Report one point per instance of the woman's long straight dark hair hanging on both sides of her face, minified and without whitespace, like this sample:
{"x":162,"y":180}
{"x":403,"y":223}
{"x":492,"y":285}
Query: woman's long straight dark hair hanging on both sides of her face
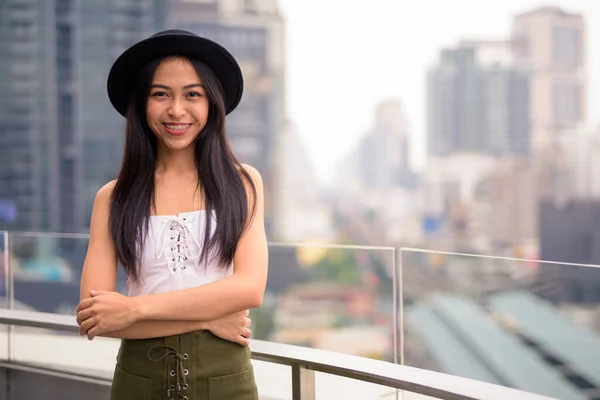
{"x":220,"y":178}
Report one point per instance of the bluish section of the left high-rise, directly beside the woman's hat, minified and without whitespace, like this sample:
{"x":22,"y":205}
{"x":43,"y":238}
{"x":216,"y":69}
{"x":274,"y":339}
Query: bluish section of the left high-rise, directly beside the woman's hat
{"x":105,"y":30}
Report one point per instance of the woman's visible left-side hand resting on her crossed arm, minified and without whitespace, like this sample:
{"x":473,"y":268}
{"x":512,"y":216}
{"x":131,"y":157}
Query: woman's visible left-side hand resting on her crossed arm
{"x":105,"y":312}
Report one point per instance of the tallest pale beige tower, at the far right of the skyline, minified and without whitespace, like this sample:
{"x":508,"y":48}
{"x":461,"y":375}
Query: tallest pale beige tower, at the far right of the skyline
{"x":551,"y":43}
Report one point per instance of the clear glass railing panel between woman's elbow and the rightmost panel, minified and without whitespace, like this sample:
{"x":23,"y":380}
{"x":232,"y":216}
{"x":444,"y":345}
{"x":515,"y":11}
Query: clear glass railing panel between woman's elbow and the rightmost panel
{"x":331,"y":298}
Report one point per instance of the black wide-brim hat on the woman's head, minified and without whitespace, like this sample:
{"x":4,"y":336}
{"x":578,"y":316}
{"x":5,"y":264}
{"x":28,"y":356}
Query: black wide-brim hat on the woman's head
{"x":174,"y":42}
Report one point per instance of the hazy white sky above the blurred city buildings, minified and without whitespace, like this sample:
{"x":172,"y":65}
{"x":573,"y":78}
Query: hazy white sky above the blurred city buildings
{"x":345,"y":56}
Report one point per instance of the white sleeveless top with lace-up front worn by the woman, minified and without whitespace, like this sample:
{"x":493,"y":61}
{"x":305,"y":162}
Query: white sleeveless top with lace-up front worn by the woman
{"x":170,"y":259}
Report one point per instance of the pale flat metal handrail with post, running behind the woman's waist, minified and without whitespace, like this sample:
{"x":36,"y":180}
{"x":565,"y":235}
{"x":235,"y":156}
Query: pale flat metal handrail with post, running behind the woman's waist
{"x":305,"y":362}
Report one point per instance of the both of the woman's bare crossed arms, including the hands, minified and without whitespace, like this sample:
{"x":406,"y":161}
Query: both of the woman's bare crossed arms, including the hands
{"x":220,"y":306}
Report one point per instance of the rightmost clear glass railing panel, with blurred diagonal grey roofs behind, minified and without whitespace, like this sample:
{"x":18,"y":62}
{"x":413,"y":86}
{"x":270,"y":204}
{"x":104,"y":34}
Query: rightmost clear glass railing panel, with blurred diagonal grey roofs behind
{"x":530,"y":325}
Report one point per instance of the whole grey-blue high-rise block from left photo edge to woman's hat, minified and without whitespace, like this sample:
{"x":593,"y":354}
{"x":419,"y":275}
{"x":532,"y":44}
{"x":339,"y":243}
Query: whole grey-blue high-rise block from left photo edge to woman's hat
{"x":60,"y":139}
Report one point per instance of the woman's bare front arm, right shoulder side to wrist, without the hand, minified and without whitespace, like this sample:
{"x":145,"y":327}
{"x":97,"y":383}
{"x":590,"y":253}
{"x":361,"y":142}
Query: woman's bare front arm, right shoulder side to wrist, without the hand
{"x":240,"y":291}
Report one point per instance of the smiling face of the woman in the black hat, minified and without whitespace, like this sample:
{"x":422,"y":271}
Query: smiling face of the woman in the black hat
{"x":177,"y":107}
